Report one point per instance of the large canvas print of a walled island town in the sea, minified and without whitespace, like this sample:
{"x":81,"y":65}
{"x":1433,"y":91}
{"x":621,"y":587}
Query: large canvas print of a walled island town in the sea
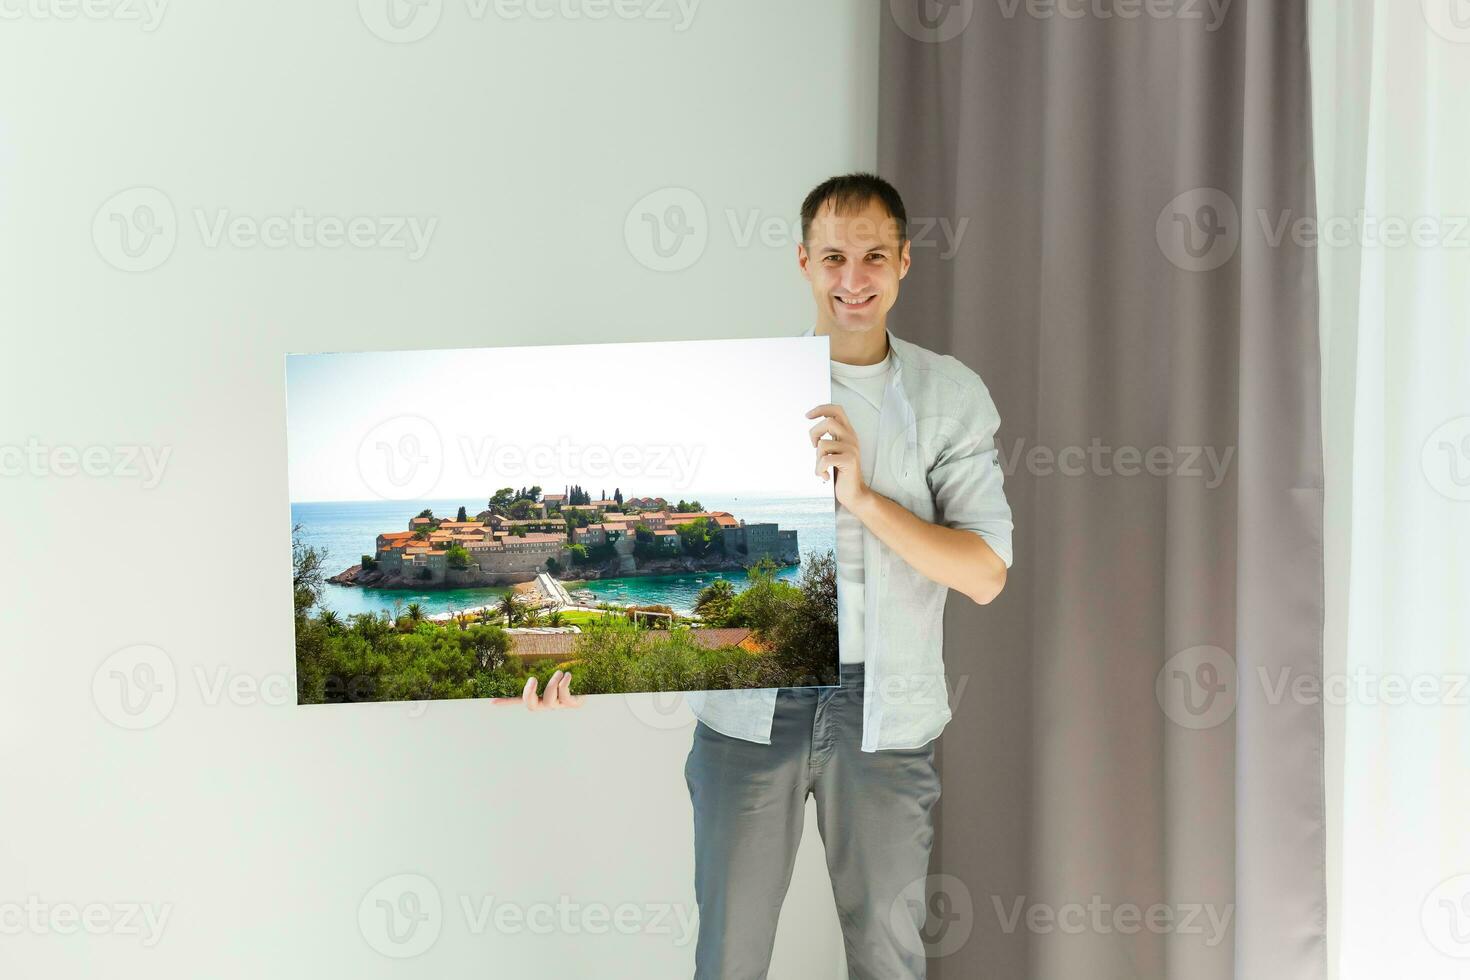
{"x":645,"y":516}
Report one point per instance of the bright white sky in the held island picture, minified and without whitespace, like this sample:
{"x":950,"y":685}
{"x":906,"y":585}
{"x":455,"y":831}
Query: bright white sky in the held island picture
{"x":664,"y":419}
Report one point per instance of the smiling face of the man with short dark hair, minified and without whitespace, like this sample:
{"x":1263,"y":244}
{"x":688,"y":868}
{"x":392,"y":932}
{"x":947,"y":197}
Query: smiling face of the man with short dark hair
{"x":855,"y":262}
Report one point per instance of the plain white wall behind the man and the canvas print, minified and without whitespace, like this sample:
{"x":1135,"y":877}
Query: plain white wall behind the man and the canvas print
{"x":264,"y":826}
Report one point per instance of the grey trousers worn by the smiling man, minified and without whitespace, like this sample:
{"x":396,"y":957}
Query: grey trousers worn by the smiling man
{"x":875,"y":813}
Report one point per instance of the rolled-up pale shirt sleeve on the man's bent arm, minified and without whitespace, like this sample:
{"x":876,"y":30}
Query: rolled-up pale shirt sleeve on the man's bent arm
{"x":967,"y":477}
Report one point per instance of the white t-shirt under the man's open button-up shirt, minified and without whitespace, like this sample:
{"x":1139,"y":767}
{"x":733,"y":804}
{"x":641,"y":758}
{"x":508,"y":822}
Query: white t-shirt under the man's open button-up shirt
{"x":859,"y":389}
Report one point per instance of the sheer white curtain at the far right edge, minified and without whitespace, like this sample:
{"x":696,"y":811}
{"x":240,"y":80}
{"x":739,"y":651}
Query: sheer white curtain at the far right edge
{"x":1393,"y":142}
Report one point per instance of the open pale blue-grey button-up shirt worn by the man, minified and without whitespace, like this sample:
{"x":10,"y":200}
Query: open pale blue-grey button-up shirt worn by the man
{"x":937,"y":458}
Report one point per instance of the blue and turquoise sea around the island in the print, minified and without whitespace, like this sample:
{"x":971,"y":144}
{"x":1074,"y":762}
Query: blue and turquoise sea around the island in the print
{"x":348,"y":531}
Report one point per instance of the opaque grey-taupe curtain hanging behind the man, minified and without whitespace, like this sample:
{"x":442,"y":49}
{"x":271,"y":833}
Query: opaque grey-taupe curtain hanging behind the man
{"x":1122,"y":738}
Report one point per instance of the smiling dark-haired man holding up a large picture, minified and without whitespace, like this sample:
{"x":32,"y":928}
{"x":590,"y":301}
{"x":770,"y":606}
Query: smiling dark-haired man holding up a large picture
{"x":911,"y":443}
